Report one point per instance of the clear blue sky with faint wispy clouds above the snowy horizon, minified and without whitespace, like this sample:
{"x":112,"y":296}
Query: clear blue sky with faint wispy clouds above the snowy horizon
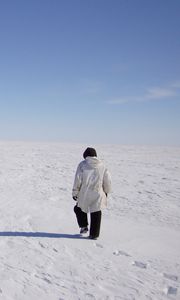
{"x":92,"y":71}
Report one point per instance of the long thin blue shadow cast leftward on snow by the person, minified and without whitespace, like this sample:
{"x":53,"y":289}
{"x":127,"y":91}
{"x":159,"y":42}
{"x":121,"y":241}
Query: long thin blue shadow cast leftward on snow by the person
{"x":41,"y":234}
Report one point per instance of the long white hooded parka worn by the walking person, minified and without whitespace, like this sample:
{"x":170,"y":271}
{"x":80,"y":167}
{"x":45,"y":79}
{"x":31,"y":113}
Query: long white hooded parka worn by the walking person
{"x":92,"y":183}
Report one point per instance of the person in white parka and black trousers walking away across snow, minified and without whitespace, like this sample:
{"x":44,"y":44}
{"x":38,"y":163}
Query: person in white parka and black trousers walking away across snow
{"x":92,"y":185}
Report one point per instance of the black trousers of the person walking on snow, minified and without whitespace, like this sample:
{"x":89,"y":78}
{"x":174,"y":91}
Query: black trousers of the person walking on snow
{"x":83,"y":220}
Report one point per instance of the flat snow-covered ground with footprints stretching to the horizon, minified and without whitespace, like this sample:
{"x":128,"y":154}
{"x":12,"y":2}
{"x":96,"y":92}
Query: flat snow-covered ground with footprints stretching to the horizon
{"x":42,"y":255}
